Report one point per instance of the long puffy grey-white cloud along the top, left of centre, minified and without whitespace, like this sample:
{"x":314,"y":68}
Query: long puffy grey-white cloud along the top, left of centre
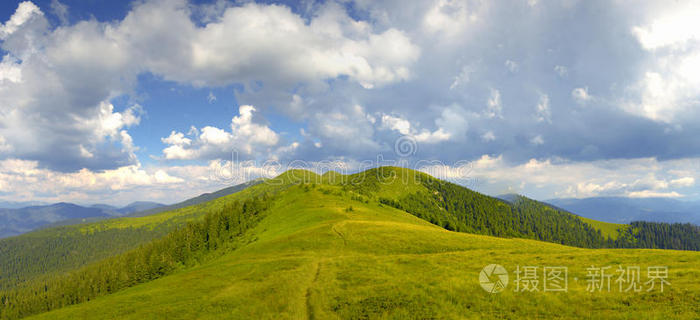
{"x":280,"y":47}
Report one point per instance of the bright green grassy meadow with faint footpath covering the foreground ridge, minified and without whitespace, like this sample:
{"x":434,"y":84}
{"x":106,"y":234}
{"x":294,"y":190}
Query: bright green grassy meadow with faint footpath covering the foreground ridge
{"x":315,"y":259}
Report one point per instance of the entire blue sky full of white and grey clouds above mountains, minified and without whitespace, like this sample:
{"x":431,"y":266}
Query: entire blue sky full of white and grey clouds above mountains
{"x":111,"y":101}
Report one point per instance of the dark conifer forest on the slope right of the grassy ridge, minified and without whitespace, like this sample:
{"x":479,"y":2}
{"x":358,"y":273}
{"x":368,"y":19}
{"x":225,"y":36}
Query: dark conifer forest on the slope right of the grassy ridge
{"x":456,"y":208}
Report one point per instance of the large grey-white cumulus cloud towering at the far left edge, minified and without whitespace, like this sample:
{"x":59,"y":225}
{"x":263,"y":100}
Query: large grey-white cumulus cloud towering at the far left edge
{"x":54,"y":97}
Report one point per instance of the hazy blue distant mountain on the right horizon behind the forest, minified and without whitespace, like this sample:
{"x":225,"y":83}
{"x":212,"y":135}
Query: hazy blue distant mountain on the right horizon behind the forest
{"x":626,"y":210}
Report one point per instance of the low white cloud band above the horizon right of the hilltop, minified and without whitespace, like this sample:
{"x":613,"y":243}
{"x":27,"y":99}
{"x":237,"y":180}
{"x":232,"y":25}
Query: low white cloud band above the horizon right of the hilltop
{"x":558,"y":178}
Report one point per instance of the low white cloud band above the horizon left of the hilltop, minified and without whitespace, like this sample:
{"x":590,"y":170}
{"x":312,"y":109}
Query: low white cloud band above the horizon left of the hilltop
{"x":24,"y":180}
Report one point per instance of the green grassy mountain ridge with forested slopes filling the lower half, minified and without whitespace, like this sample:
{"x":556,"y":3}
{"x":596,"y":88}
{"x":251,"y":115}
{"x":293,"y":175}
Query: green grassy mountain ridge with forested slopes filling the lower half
{"x":375,"y":245}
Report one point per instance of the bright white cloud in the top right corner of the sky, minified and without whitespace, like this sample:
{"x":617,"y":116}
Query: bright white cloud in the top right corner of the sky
{"x":670,"y":84}
